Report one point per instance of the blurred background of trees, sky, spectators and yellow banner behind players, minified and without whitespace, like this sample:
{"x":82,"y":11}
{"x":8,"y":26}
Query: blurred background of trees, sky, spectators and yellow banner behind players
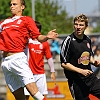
{"x":57,"y":14}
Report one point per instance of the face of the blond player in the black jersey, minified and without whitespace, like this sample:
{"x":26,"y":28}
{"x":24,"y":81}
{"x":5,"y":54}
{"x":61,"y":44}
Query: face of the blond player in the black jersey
{"x":79,"y":27}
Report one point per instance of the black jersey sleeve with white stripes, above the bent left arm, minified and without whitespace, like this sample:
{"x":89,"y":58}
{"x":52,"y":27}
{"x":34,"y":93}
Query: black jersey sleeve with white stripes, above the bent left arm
{"x":65,"y":50}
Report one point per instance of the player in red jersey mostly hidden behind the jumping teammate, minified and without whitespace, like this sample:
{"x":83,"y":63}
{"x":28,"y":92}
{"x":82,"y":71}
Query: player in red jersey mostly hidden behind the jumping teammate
{"x":36,"y":53}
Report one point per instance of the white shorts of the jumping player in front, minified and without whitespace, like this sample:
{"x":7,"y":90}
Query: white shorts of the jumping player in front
{"x":16,"y":70}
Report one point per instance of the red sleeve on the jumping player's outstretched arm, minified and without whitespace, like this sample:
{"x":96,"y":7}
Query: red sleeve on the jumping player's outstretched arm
{"x":33,"y":30}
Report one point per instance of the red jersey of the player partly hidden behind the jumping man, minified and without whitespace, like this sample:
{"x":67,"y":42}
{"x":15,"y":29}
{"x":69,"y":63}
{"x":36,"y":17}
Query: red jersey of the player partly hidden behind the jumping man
{"x":36,"y":52}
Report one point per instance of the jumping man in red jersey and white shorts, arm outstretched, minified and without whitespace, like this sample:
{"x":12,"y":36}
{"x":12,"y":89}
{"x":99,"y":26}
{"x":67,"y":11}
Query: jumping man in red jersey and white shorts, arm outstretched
{"x":14,"y":33}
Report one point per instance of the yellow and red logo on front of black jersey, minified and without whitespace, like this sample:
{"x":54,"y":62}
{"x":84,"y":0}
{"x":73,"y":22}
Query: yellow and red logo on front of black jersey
{"x":84,"y":59}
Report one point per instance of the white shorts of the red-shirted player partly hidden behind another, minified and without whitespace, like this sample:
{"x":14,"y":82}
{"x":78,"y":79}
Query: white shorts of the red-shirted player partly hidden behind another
{"x":40,"y":80}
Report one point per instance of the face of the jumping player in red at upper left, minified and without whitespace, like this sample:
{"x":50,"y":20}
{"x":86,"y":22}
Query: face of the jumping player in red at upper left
{"x":16,"y":7}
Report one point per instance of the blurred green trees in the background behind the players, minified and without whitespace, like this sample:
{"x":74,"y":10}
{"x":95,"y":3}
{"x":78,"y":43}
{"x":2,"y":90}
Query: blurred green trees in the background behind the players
{"x":48,"y":12}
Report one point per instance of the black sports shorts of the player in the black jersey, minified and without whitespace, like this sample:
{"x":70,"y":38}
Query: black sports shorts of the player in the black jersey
{"x":83,"y":88}
